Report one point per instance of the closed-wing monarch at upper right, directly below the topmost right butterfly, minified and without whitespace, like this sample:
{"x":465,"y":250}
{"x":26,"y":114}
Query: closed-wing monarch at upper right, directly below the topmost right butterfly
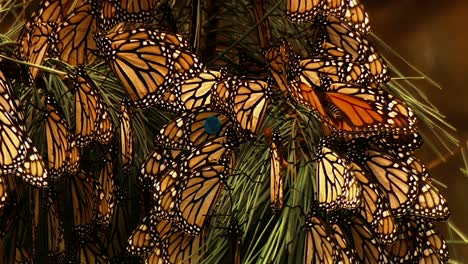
{"x":341,"y":42}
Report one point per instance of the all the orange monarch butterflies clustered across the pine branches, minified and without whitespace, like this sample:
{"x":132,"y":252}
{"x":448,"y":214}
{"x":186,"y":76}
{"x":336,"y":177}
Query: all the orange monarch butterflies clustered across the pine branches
{"x":374,"y":200}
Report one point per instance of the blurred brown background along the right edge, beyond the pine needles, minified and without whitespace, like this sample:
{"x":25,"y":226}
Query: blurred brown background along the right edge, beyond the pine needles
{"x":433,"y":36}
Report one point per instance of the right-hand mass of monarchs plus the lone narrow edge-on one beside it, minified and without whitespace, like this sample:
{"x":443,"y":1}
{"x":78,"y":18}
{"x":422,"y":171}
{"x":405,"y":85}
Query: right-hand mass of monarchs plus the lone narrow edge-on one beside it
{"x":374,"y":201}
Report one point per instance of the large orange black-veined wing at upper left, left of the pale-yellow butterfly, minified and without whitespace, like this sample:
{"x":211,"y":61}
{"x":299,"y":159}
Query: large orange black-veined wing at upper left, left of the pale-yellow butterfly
{"x":143,"y":67}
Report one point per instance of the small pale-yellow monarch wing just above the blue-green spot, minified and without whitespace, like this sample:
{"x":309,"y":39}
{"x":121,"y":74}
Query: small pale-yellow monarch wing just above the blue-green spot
{"x":192,"y":93}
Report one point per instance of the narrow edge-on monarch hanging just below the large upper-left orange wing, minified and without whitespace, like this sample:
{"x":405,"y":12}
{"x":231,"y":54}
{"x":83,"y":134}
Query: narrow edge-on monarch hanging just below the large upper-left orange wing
{"x":126,"y":135}
